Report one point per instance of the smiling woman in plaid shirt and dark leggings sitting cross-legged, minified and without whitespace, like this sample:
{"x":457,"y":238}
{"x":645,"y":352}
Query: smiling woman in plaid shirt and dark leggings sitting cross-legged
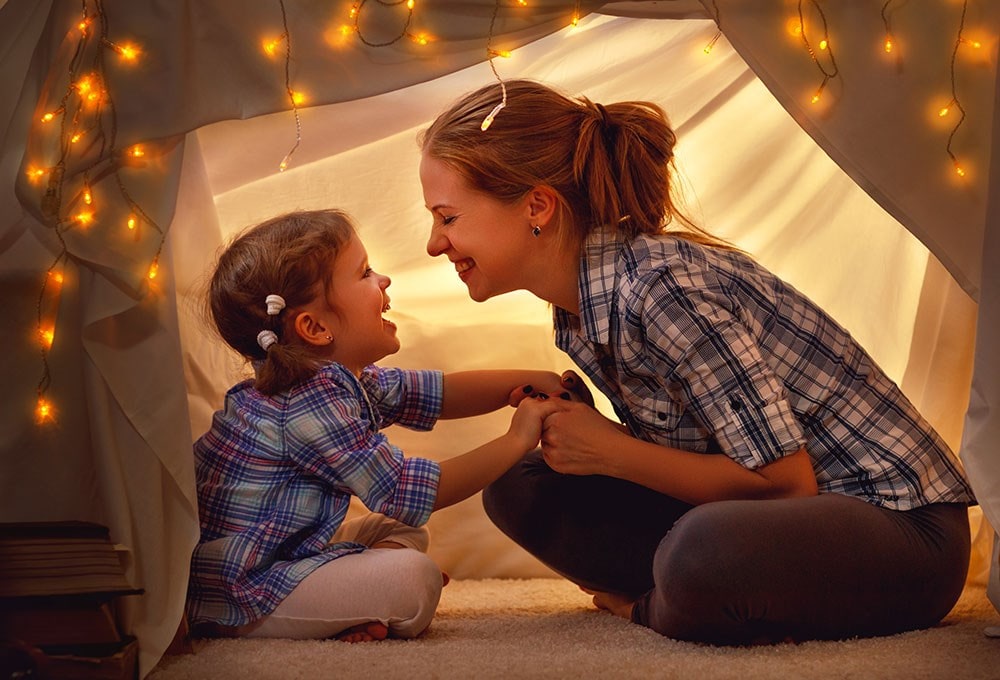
{"x":767,"y":480}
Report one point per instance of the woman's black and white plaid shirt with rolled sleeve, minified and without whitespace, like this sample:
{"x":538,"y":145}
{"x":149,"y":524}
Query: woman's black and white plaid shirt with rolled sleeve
{"x":702,"y":349}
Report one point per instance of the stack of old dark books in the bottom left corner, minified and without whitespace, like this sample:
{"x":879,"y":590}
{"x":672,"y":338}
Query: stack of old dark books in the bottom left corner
{"x":59,"y":585}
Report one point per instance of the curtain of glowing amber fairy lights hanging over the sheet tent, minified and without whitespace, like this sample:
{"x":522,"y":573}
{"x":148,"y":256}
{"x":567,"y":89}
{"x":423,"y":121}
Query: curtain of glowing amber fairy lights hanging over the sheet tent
{"x":82,"y":124}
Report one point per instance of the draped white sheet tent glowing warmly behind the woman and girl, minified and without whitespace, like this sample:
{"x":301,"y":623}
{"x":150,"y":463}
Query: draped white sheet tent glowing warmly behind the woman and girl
{"x":855,"y":200}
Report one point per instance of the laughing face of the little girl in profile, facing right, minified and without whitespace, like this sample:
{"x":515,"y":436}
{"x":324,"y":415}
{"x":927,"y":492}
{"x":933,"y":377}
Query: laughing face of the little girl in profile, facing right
{"x":352,"y":312}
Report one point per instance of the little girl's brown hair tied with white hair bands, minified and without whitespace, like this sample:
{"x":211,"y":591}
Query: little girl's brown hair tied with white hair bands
{"x":290,"y":256}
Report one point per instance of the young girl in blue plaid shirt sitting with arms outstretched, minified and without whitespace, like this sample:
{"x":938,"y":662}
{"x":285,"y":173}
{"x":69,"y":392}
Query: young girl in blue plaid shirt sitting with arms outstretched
{"x":276,"y":471}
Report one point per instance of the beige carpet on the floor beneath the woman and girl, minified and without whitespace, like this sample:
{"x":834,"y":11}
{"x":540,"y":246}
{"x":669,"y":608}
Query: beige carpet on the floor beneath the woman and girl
{"x":547,"y":628}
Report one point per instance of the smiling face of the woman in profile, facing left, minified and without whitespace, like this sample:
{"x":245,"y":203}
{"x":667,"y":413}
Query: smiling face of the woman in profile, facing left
{"x":487,"y":241}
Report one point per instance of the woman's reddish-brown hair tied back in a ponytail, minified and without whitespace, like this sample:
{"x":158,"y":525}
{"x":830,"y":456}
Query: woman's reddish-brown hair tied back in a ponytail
{"x":611,"y":166}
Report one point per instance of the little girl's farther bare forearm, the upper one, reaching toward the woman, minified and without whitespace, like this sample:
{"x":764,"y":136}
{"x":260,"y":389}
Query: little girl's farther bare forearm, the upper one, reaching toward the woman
{"x":472,"y":393}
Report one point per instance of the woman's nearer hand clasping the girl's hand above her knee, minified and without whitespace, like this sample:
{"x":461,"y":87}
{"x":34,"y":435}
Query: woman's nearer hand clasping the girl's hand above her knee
{"x":578,"y":440}
